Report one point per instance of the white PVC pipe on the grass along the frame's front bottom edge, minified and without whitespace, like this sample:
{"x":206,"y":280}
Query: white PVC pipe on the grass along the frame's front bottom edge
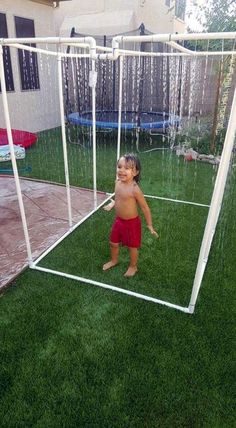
{"x":113,"y":288}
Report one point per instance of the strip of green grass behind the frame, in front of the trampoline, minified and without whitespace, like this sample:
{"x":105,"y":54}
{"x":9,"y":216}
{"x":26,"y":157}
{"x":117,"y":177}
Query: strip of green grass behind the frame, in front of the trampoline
{"x":164,"y":174}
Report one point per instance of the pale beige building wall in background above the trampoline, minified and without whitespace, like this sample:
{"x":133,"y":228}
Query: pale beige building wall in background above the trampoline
{"x":156,"y":16}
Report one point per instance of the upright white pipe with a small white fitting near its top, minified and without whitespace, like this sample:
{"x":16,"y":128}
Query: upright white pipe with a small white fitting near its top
{"x":93,"y":82}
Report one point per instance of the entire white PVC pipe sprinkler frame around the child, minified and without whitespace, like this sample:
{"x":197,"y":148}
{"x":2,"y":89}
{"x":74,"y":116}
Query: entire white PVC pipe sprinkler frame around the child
{"x":217,"y":197}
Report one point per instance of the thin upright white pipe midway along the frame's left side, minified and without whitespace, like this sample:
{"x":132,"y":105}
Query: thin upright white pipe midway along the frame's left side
{"x":63,"y":133}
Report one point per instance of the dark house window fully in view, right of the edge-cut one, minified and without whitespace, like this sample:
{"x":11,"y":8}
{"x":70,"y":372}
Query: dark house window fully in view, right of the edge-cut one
{"x":28,"y":60}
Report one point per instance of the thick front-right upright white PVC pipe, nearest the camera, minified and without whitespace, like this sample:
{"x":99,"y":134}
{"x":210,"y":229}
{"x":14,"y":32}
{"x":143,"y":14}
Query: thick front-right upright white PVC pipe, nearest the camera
{"x":215,"y":207}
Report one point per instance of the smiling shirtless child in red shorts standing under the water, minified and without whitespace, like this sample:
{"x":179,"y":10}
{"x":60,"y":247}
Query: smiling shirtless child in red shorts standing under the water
{"x":126,"y":229}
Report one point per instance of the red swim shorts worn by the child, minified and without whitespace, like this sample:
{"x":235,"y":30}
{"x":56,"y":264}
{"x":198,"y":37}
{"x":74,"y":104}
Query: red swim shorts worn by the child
{"x":126,"y":232}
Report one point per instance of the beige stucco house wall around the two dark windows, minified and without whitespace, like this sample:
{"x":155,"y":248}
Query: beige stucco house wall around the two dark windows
{"x":32,"y":110}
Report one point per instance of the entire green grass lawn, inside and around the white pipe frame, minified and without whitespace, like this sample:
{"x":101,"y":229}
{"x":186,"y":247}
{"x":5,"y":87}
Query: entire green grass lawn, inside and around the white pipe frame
{"x":74,"y":355}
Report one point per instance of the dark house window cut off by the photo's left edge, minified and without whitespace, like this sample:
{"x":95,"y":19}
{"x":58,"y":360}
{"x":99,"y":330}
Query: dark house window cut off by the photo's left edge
{"x":6,"y":55}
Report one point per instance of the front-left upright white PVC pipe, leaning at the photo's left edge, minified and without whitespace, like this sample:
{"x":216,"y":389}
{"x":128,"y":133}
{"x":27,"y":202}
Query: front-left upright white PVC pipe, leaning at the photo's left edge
{"x":13,"y":159}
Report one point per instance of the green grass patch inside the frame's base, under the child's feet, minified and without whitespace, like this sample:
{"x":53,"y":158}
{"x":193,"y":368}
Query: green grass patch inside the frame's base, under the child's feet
{"x":166,"y":268}
